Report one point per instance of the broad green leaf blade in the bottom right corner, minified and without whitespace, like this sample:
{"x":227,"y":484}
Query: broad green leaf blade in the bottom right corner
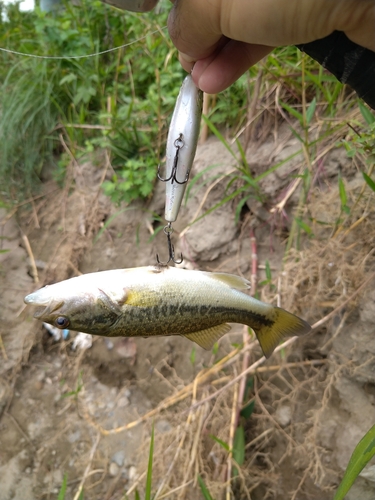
{"x":362,"y":454}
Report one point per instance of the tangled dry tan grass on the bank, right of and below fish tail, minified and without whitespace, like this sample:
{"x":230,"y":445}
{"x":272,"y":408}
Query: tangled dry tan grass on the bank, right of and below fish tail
{"x":283,"y":448}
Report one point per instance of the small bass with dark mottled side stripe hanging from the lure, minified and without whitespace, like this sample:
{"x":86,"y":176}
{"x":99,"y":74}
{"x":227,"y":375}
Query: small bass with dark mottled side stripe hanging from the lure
{"x":162,"y":300}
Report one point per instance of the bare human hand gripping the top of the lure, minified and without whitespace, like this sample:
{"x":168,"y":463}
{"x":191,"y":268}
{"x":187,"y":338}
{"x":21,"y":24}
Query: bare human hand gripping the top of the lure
{"x":223,"y":38}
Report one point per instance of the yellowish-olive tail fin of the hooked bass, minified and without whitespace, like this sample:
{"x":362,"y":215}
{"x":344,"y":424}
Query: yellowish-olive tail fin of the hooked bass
{"x":284,"y":324}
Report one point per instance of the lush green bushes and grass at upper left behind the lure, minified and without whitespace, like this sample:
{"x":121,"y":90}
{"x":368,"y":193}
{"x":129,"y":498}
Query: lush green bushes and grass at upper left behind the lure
{"x":127,"y":95}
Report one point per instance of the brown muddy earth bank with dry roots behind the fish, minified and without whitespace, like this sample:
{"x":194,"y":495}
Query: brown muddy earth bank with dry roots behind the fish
{"x":61,"y":410}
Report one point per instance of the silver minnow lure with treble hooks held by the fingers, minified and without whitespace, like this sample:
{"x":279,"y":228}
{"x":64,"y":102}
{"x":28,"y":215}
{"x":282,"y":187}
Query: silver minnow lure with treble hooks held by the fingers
{"x":182,"y":140}
